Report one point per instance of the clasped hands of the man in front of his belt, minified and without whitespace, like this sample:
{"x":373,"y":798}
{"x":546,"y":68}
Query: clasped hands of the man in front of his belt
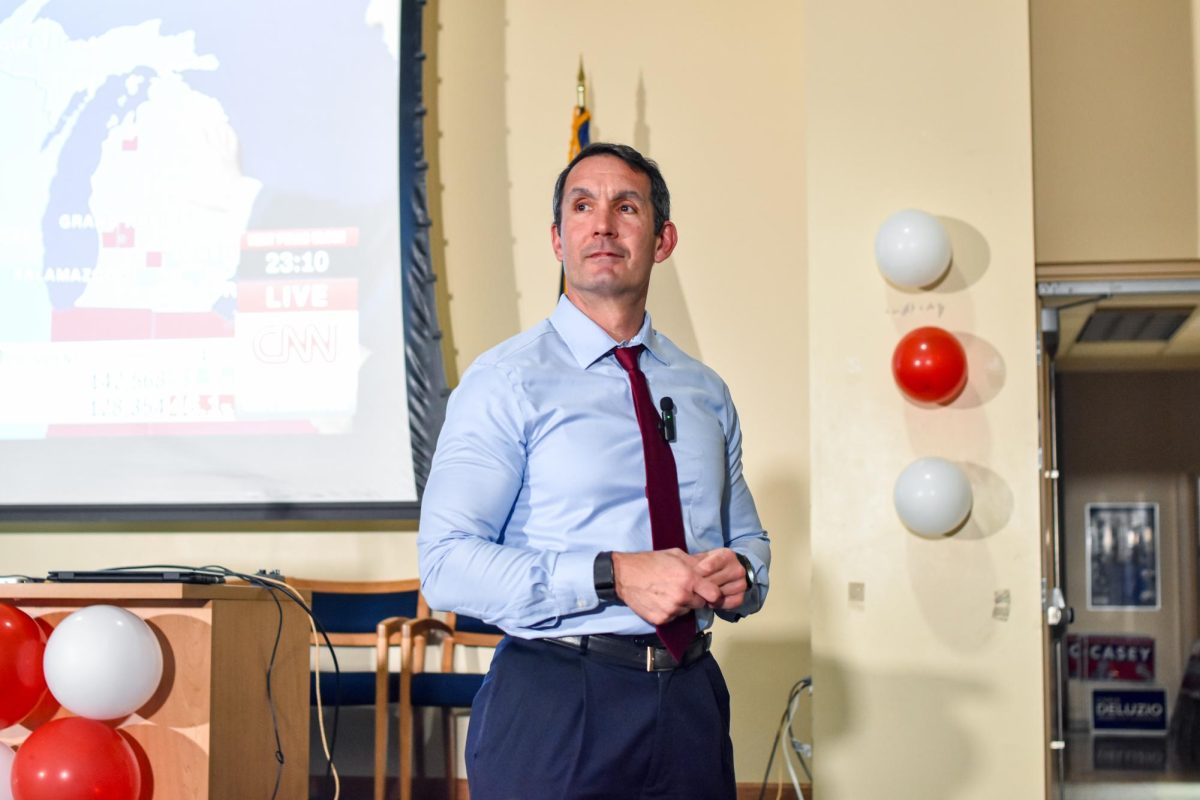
{"x":659,"y":586}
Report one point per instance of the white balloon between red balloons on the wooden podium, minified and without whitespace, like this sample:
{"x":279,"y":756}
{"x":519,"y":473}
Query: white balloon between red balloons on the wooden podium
{"x":103,"y":663}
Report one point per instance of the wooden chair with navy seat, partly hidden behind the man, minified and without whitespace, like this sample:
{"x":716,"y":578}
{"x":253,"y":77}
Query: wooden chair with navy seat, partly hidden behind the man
{"x":447,"y":690}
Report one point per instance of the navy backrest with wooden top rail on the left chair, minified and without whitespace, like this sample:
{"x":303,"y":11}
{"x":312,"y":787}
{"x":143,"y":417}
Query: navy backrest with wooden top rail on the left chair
{"x":351,"y":611}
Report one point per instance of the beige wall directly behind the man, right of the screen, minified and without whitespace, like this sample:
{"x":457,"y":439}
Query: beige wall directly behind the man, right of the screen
{"x":715,"y":94}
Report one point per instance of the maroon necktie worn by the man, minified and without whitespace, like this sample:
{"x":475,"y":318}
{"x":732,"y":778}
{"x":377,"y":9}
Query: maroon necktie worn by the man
{"x":662,"y":492}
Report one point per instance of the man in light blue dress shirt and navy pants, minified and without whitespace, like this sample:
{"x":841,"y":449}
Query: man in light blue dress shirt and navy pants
{"x":536,"y":519}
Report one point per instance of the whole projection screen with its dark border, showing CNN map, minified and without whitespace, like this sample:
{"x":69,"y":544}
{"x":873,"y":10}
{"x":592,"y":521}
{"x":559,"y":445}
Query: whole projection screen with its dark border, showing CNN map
{"x":215,"y":291}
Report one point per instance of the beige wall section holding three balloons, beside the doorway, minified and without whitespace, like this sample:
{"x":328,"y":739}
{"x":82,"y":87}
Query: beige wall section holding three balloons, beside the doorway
{"x":927,"y":689}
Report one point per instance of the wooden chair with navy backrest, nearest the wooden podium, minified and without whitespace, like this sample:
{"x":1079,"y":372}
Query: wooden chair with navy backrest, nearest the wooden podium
{"x":365,"y":615}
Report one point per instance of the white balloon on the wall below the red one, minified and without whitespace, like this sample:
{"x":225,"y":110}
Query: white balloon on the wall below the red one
{"x":933,"y":497}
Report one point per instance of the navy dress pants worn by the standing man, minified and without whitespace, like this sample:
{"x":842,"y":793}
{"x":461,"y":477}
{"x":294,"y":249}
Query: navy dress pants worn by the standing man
{"x":553,"y":724}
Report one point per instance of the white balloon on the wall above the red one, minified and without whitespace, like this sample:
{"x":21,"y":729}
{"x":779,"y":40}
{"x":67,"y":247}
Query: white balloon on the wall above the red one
{"x":913,"y":249}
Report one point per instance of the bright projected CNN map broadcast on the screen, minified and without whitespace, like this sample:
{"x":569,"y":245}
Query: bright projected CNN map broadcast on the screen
{"x":200,"y":206}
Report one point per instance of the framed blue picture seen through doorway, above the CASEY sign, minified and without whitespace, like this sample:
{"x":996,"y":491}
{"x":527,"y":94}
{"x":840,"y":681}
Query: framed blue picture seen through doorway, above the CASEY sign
{"x":1123,"y":557}
